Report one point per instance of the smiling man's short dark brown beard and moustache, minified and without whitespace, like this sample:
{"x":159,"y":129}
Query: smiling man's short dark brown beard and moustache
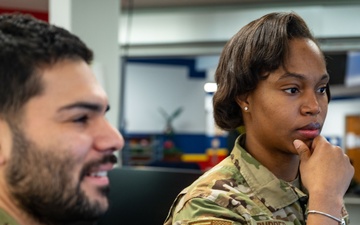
{"x":41,"y":182}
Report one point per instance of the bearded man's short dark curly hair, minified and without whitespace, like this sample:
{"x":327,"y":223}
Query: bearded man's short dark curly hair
{"x":27,"y":46}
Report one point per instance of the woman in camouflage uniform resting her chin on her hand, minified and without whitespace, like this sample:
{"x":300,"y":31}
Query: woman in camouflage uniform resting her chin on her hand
{"x":271,"y":79}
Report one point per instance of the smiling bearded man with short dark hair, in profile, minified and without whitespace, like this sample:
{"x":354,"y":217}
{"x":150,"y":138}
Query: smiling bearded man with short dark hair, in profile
{"x":56,"y":145}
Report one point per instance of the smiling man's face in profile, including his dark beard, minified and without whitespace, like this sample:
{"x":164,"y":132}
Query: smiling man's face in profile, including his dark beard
{"x":63,"y":147}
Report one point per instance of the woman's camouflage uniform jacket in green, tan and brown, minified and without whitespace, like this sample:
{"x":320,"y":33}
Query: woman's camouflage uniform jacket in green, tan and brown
{"x":239,"y":190}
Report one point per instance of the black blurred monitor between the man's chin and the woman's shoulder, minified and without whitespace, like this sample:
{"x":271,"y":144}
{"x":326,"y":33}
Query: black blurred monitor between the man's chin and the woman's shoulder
{"x":141,"y":196}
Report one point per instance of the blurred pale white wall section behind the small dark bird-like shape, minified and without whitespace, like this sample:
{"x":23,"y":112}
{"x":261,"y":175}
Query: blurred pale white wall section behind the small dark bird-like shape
{"x":148,"y":87}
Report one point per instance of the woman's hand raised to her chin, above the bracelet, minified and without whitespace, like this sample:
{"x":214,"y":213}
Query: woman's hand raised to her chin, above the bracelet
{"x":326,"y":172}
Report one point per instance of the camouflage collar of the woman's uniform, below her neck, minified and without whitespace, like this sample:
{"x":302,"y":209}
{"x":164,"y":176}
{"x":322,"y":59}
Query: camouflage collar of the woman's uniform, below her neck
{"x":273,"y":192}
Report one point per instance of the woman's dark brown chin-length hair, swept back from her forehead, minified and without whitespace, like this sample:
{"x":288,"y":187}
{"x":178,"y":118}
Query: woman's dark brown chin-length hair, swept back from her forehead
{"x":249,"y":56}
